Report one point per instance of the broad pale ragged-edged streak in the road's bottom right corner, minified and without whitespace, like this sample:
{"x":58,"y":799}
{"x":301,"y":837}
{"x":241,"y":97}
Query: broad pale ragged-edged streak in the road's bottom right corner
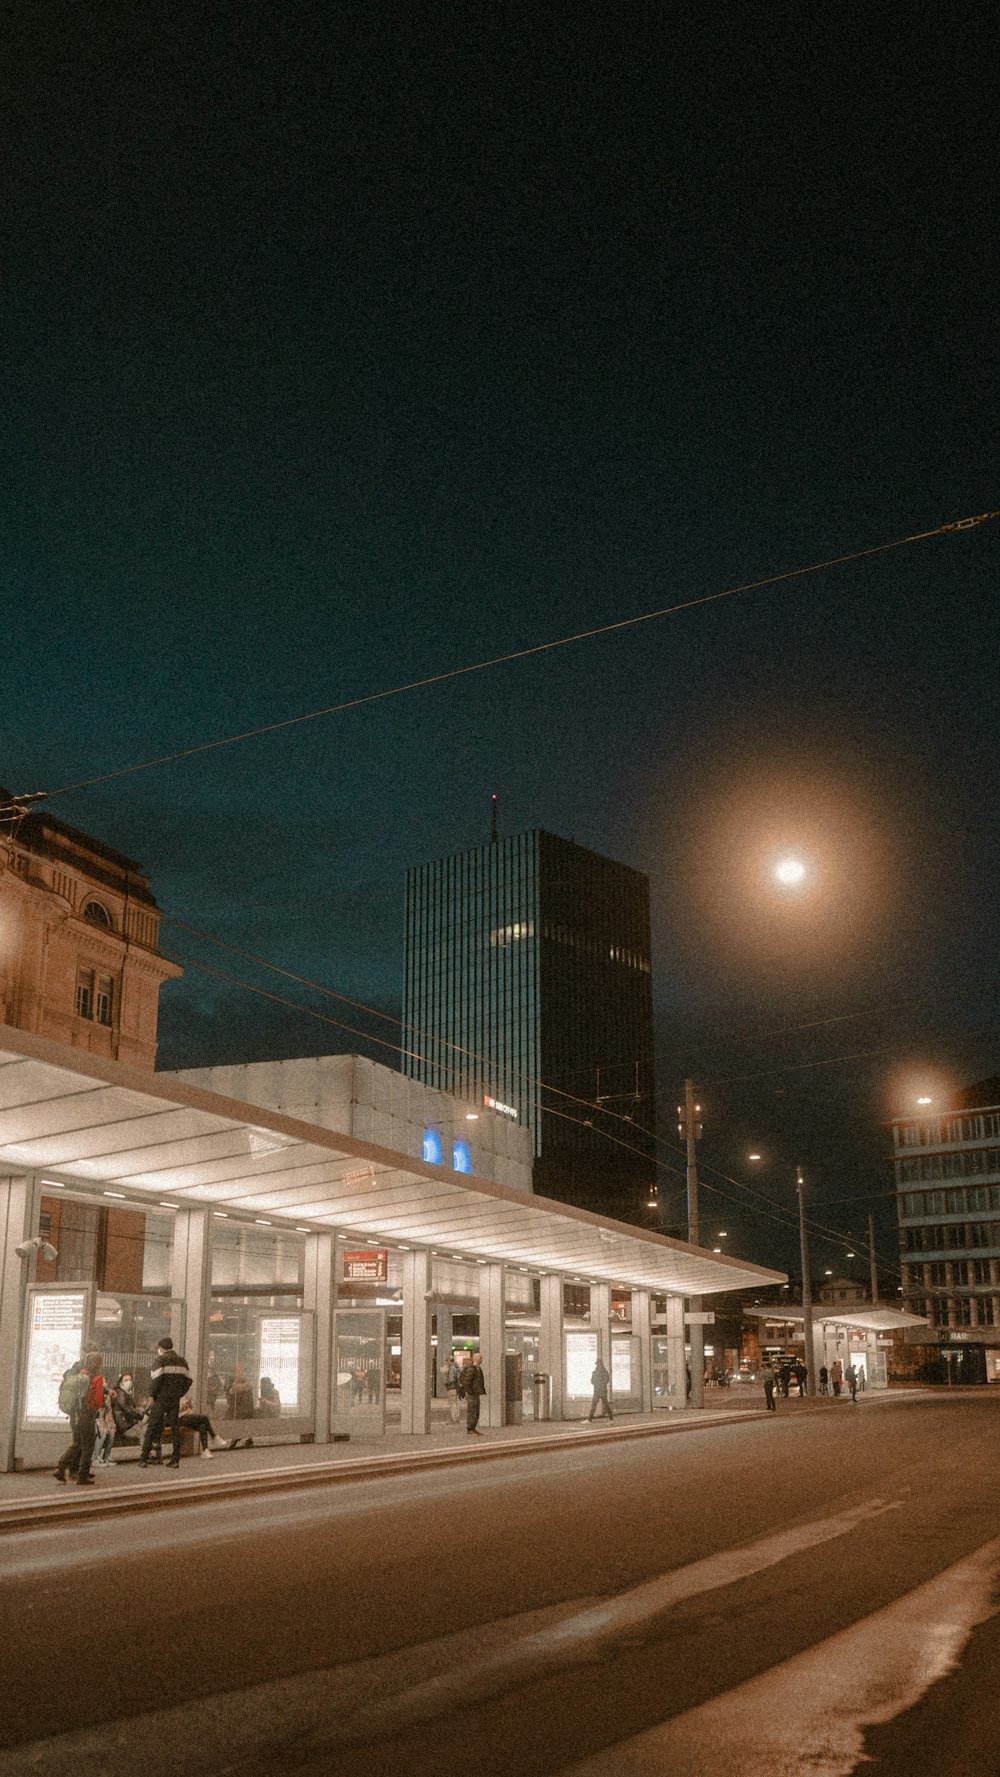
{"x":809,"y":1716}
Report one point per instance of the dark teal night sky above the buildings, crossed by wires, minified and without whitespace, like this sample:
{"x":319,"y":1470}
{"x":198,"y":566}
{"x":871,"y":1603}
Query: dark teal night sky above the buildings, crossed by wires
{"x":349,"y":346}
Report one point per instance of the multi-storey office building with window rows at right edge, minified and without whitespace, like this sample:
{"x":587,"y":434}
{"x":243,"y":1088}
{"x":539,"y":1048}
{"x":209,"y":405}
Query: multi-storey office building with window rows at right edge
{"x":948,"y":1184}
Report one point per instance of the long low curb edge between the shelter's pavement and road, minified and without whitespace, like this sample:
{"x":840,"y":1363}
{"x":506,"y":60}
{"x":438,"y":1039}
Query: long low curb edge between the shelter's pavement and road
{"x":161,"y":1494}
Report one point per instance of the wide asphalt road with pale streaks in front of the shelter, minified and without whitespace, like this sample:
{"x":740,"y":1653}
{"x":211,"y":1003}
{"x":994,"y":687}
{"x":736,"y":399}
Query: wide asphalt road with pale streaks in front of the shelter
{"x":766,"y":1598}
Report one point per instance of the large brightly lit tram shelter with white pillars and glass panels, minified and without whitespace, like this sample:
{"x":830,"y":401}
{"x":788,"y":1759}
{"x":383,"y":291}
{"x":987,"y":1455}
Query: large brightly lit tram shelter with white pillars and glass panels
{"x":344,"y":1273}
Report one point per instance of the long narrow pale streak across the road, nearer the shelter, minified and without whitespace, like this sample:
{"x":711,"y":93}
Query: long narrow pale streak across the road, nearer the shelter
{"x":376,"y":1698}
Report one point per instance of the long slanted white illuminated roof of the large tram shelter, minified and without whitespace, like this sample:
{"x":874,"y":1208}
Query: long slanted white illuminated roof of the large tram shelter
{"x":154,"y":1140}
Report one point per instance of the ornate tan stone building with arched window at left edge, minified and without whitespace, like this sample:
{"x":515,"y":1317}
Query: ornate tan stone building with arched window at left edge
{"x":79,"y":941}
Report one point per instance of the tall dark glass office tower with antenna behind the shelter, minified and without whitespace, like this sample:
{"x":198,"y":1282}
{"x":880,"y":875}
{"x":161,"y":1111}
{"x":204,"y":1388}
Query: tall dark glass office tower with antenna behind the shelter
{"x":528,"y":989}
